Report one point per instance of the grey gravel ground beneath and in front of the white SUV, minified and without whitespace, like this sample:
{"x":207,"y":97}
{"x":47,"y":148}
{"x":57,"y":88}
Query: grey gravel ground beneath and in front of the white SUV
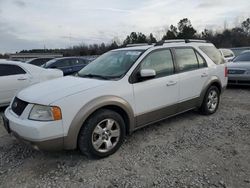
{"x":189,"y":150}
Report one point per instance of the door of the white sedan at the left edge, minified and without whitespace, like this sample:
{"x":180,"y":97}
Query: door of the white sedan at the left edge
{"x":12,"y":79}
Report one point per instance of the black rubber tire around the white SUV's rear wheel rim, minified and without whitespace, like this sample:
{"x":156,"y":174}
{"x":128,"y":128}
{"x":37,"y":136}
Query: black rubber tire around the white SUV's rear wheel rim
{"x":205,"y":109}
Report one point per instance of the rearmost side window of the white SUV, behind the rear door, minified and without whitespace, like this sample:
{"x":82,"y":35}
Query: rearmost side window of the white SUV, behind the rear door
{"x":213,"y":53}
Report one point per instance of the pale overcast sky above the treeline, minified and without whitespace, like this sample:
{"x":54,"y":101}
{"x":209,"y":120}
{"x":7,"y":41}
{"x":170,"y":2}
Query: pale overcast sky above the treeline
{"x":27,"y":24}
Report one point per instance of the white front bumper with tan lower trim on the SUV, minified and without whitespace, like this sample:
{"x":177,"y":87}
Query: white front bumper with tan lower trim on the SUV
{"x":40,"y":135}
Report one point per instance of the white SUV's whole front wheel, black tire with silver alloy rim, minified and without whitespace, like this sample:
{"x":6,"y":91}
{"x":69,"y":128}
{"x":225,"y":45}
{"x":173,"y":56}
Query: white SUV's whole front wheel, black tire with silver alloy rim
{"x":102,"y":134}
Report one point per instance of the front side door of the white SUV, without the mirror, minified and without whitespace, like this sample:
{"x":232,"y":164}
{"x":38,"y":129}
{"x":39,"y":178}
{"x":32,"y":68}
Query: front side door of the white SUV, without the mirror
{"x":156,"y":98}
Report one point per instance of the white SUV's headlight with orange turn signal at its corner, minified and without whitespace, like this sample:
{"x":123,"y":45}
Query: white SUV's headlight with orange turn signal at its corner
{"x":45,"y":113}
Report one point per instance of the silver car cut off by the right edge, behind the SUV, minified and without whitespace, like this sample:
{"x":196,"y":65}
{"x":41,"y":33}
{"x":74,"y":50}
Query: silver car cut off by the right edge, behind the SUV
{"x":239,"y":70}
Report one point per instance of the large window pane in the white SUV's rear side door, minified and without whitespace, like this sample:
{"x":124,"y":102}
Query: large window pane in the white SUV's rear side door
{"x":186,"y":59}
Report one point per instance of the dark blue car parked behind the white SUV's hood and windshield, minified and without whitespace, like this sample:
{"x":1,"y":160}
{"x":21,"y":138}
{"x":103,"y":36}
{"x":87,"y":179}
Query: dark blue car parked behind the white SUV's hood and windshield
{"x":69,"y":65}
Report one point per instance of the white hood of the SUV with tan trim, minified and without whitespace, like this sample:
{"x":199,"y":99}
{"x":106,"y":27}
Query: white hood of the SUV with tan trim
{"x":47,"y":92}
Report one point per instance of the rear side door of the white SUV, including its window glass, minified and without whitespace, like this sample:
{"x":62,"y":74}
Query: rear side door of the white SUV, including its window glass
{"x":193,"y":73}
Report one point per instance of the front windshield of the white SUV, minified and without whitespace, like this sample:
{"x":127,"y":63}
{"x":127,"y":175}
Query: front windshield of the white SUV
{"x":111,"y":65}
